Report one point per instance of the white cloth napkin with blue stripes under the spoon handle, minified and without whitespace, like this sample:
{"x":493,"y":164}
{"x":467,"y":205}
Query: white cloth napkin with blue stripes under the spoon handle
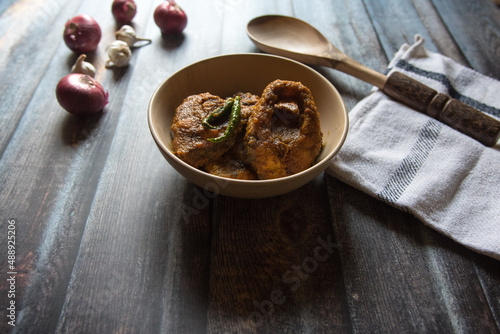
{"x":415,"y":163}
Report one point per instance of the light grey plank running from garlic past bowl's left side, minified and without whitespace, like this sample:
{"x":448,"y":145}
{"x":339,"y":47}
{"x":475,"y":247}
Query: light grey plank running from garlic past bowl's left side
{"x":162,"y":252}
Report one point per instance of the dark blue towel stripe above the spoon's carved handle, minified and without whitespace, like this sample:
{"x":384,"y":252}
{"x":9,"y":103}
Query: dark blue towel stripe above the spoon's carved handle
{"x":404,"y":65}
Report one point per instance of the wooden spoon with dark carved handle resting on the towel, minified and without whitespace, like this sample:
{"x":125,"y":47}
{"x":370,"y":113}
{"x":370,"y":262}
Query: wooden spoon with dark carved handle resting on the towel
{"x":290,"y":37}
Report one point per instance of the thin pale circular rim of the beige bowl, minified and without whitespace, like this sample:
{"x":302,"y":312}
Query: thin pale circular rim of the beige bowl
{"x":318,"y":166}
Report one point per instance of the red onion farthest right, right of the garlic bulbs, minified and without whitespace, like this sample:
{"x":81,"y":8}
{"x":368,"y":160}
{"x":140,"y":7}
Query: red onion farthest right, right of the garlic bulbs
{"x":170,"y":18}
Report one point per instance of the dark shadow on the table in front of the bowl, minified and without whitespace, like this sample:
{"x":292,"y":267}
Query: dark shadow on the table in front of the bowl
{"x":260,"y":264}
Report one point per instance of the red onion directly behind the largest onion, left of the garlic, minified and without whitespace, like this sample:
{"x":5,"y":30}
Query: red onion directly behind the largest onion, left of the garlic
{"x":82,"y":34}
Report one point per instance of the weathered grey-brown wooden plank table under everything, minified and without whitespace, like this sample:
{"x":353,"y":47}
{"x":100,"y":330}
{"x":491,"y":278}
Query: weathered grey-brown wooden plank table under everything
{"x":110,"y":239}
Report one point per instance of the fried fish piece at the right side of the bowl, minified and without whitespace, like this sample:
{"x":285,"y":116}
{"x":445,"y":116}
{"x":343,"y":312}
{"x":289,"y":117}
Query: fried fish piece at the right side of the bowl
{"x":283,"y":135}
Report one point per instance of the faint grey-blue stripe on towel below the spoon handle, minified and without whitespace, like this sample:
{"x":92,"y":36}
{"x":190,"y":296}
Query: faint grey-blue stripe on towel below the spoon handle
{"x":410,"y":165}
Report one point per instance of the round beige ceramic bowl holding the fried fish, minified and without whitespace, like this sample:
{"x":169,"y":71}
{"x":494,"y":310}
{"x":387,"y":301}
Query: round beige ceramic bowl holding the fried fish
{"x":226,"y":75}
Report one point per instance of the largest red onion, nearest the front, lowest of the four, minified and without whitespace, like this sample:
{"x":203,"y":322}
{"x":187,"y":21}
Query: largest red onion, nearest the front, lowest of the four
{"x":80,"y":94}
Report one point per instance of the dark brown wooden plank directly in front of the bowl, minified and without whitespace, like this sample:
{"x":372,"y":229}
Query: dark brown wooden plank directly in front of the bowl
{"x":275,"y":265}
